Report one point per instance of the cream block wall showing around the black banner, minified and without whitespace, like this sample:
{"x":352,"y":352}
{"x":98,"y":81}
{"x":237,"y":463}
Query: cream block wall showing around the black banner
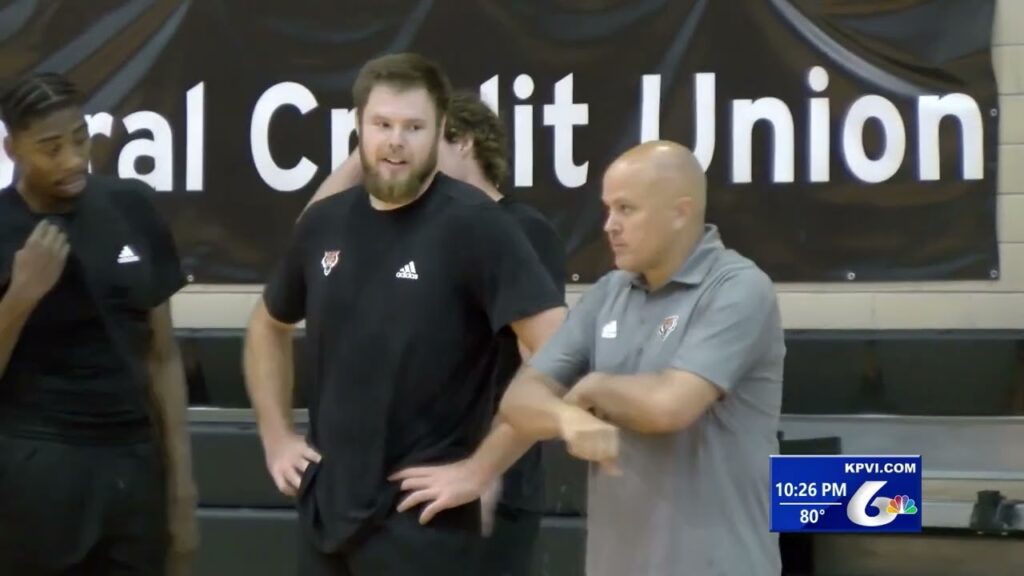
{"x":993,"y":305}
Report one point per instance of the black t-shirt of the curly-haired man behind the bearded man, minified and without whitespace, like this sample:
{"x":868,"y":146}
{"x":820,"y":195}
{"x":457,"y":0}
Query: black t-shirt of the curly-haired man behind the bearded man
{"x":523,"y":486}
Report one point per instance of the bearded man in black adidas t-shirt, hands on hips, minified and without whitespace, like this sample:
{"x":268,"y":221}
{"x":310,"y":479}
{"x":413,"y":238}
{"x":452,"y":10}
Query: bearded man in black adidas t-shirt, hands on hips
{"x":404,"y":284}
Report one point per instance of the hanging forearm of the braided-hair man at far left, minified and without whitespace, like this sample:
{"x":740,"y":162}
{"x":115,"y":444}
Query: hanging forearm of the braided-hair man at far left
{"x":170,"y":398}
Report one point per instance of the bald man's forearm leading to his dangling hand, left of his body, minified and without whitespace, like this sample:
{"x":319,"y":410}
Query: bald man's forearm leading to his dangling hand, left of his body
{"x":534,"y":406}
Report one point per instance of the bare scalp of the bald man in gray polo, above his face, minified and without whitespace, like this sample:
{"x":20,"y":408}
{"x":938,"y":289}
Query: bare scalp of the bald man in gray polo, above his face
{"x":667,"y":170}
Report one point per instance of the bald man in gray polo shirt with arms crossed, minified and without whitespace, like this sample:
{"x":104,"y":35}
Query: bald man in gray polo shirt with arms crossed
{"x":669,"y":375}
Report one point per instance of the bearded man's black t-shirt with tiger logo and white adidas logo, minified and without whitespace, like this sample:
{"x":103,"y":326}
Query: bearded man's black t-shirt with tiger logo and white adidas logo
{"x":403,"y":309}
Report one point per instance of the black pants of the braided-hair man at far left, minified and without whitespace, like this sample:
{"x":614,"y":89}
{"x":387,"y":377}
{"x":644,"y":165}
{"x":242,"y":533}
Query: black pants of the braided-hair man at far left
{"x":70,"y":511}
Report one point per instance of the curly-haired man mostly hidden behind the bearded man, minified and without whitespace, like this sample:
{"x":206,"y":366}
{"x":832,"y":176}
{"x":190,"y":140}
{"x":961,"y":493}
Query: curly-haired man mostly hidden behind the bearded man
{"x":475,"y":151}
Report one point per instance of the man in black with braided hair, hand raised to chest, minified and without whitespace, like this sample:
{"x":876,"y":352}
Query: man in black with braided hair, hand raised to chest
{"x":95,"y":460}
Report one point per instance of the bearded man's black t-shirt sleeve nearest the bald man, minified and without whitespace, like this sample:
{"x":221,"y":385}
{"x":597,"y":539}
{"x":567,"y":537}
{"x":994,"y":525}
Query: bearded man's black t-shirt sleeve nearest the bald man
{"x":507,"y":275}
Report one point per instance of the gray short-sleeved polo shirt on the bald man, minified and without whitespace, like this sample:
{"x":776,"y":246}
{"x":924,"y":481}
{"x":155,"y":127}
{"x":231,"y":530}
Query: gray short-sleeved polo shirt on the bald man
{"x":697,"y":502}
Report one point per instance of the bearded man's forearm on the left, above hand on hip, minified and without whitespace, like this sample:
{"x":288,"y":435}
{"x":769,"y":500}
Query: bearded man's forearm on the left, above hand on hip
{"x":270,"y":378}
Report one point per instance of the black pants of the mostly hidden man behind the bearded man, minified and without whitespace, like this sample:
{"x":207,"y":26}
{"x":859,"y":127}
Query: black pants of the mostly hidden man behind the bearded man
{"x":510,"y":550}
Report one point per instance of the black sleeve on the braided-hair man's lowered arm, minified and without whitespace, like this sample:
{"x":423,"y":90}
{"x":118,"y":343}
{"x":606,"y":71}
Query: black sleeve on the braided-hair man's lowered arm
{"x":167,"y":276}
